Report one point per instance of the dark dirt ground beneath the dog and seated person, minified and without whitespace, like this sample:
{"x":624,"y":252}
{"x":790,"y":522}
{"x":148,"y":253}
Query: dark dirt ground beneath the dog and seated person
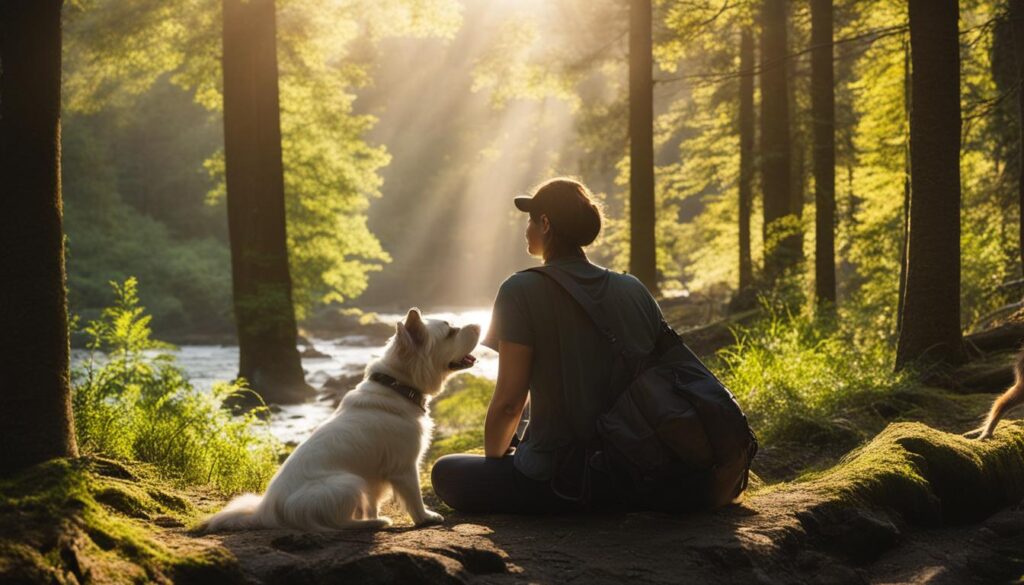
{"x":766,"y":540}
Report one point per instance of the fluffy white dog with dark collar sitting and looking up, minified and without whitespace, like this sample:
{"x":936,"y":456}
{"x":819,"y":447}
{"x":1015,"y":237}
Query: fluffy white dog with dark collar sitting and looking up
{"x":372,"y":444}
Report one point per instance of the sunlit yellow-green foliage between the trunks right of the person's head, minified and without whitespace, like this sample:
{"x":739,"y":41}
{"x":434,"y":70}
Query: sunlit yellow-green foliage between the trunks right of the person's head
{"x":697,"y":79}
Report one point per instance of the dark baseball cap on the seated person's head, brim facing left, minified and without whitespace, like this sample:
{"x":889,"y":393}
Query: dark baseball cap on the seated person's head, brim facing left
{"x":570,"y":210}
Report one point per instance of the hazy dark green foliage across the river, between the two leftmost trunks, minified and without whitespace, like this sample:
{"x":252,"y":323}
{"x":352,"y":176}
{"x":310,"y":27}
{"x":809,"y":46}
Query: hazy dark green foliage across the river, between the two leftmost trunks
{"x":135,"y":205}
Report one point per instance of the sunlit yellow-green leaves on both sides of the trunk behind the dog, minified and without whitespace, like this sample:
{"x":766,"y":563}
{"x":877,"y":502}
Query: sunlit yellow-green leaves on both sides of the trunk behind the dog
{"x":117,"y":51}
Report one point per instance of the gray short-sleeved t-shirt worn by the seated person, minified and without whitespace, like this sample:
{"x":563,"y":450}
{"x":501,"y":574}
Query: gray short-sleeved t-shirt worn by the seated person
{"x":574,"y":373}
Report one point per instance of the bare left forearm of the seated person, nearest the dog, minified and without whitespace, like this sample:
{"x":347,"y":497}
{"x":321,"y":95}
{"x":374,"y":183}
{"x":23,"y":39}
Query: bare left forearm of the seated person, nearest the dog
{"x":509,"y":399}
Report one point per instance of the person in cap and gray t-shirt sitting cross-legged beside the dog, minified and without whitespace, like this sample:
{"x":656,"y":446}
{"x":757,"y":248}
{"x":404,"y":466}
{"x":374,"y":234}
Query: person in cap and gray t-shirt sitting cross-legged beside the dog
{"x":552,"y":356}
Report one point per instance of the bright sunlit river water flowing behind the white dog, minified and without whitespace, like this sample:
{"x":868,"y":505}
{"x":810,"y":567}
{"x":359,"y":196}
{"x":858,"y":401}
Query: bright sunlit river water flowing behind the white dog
{"x":206,"y":365}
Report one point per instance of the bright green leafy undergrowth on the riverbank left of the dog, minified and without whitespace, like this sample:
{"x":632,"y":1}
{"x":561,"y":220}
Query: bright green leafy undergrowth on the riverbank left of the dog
{"x":132,"y":402}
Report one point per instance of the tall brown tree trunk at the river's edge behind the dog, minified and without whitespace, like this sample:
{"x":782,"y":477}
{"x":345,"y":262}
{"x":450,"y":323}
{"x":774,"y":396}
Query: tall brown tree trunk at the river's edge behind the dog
{"x":263,"y":287}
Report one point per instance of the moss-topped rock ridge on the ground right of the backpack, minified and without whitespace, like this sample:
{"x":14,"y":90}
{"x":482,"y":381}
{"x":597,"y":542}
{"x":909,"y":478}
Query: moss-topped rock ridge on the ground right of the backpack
{"x":909,"y":475}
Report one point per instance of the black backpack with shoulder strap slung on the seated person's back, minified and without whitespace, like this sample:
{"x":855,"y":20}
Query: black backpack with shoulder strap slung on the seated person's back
{"x":674,"y":439}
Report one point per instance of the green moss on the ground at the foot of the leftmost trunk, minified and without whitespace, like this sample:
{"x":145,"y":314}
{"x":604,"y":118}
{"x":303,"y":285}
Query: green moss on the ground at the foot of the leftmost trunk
{"x":66,"y":522}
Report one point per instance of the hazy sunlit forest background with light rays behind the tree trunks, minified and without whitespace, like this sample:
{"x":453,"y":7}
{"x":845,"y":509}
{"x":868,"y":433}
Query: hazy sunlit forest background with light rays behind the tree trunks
{"x":430,"y":141}
